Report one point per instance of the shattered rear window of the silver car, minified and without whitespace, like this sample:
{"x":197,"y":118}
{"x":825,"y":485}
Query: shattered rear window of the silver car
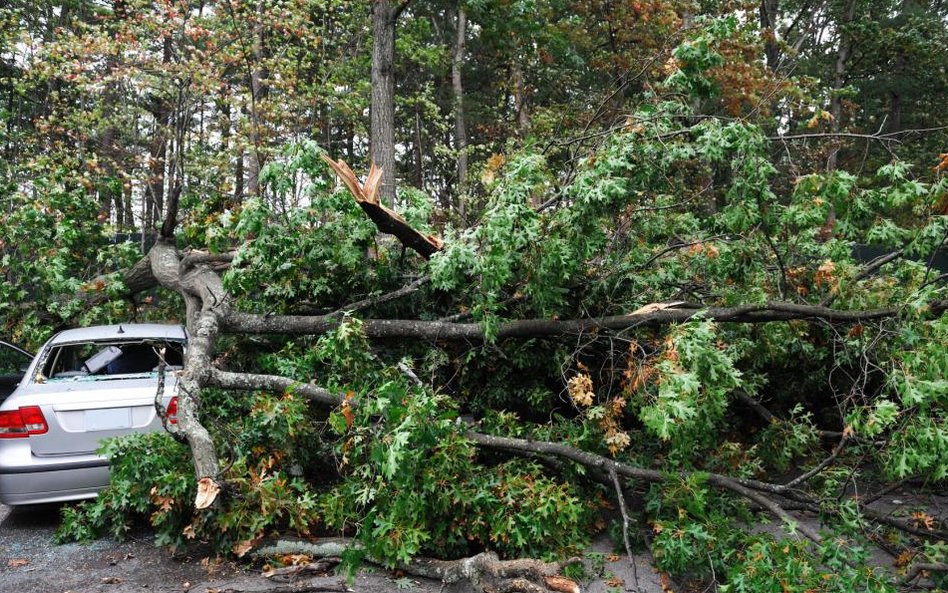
{"x":97,"y":361}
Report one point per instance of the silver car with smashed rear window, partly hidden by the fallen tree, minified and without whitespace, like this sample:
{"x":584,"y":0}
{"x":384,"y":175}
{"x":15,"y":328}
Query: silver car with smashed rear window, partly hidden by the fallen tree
{"x":84,"y":385}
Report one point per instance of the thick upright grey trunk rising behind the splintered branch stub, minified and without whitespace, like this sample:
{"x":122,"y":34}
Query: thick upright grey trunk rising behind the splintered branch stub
{"x":382,"y":132}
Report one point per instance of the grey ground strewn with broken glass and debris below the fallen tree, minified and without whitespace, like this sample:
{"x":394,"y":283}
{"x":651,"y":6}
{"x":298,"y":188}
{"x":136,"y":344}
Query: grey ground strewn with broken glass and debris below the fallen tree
{"x":31,"y":563}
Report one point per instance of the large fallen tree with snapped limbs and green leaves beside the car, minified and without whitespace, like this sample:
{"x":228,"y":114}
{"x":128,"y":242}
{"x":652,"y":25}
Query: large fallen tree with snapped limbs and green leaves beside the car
{"x":668,"y":370}
